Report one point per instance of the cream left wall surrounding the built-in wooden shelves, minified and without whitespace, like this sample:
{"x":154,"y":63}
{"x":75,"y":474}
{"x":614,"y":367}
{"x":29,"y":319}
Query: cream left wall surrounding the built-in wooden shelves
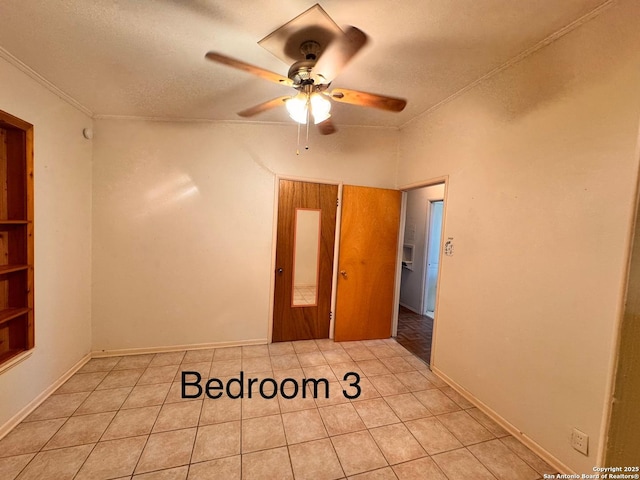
{"x":62,"y":172}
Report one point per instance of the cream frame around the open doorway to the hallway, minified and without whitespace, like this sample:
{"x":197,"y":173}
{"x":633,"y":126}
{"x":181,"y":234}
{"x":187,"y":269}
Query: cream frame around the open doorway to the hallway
{"x":403,"y":213}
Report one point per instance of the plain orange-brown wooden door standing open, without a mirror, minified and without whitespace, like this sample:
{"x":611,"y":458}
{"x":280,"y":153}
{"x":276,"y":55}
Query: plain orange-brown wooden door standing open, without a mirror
{"x":367,"y":263}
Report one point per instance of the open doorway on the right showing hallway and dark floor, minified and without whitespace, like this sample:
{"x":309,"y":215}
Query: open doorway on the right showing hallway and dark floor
{"x":420,"y":268}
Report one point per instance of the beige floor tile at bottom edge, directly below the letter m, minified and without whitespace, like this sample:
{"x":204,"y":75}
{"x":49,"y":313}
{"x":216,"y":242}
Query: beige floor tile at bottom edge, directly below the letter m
{"x":316,"y":460}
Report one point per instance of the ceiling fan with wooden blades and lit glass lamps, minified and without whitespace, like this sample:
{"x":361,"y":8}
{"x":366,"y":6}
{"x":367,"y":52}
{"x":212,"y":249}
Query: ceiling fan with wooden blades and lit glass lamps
{"x":319,"y":62}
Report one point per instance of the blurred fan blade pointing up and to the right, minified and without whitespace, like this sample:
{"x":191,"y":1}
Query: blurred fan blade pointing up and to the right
{"x":337,"y":54}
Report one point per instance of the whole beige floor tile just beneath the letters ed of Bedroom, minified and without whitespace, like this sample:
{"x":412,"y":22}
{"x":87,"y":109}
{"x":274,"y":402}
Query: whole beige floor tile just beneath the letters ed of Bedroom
{"x":217,"y":441}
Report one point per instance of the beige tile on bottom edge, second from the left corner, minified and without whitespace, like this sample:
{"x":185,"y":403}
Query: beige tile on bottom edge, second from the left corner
{"x":60,"y":464}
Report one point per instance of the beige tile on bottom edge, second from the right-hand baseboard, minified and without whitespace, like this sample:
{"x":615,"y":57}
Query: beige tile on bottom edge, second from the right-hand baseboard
{"x":502,"y":461}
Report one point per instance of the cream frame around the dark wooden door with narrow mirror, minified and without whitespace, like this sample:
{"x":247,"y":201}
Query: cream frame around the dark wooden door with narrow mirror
{"x":274,"y":241}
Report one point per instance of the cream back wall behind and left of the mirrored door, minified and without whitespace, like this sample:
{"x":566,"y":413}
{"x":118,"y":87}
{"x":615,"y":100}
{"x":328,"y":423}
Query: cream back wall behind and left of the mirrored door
{"x":183,"y":223}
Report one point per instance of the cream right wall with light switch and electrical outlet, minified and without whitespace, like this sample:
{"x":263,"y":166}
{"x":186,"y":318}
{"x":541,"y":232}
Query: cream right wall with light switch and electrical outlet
{"x":542,"y":164}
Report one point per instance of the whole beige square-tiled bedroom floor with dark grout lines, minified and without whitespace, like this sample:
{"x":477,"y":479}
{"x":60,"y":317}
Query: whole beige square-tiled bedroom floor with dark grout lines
{"x":124,"y":418}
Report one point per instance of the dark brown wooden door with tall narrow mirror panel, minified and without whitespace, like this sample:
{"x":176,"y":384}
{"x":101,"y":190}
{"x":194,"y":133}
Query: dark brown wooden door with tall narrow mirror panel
{"x":304,"y":313}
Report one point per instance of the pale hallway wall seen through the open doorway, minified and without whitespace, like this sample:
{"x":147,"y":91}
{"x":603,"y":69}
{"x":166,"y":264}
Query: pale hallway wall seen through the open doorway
{"x":416,"y":233}
